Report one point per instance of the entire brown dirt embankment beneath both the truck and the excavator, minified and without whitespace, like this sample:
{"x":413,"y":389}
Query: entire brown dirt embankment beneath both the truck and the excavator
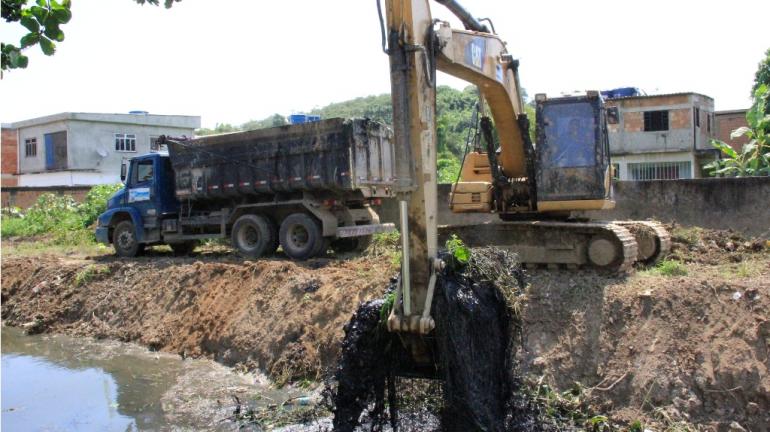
{"x":685,"y":343}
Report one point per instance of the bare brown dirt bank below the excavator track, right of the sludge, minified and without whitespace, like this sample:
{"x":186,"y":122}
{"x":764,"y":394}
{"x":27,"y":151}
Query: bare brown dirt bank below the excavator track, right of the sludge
{"x":659,"y":349}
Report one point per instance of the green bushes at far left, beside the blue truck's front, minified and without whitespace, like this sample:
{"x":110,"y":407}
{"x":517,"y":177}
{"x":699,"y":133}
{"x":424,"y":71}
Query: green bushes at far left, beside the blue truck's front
{"x":60,"y":217}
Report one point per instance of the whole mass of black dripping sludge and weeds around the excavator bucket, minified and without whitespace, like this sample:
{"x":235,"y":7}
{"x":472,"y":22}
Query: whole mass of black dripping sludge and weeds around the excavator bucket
{"x":475,"y":384}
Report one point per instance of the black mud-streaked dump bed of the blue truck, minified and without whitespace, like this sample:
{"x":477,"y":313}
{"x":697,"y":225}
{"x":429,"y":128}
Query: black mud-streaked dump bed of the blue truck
{"x":329,"y":155}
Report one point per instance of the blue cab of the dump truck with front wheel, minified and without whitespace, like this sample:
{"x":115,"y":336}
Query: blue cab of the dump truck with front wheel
{"x":134,"y":213}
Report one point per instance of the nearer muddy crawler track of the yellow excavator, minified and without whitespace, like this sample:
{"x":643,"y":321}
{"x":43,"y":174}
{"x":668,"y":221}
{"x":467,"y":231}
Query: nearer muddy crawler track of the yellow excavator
{"x":606,"y":246}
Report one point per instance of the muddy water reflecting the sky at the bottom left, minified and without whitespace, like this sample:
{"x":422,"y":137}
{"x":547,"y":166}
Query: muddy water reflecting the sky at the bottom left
{"x":62,"y":383}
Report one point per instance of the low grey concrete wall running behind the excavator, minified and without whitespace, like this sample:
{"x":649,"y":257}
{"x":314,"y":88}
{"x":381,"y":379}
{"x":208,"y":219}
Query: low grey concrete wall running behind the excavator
{"x":724,"y":203}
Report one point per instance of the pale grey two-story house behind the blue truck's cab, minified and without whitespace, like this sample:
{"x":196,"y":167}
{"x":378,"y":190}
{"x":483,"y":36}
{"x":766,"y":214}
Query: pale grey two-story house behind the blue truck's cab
{"x":71,"y":149}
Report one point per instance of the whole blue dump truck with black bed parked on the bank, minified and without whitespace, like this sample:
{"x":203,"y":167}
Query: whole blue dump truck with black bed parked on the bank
{"x":306,"y":187}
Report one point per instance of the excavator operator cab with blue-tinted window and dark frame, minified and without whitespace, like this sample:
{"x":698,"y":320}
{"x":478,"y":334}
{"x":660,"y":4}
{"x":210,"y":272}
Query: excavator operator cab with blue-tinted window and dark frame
{"x":572,"y":154}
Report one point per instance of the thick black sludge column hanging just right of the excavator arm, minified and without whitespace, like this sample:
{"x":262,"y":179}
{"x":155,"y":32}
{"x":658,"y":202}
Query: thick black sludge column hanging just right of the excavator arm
{"x":472,"y":331}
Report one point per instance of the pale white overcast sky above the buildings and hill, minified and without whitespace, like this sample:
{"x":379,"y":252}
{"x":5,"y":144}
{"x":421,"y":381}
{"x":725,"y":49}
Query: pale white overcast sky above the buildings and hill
{"x":235,"y":60}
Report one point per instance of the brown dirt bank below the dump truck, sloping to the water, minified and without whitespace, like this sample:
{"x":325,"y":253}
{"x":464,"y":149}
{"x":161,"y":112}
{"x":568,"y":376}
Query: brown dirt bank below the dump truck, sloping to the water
{"x":283,"y":317}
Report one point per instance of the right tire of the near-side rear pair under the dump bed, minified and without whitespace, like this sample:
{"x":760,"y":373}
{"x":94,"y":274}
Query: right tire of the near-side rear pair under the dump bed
{"x":301,"y":237}
